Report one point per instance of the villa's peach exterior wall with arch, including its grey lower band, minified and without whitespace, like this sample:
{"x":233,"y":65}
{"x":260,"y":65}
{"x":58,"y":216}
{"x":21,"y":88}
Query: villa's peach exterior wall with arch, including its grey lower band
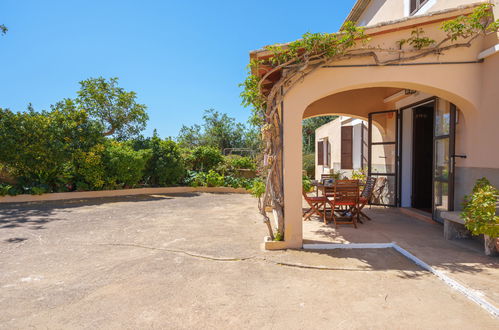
{"x":355,"y":89}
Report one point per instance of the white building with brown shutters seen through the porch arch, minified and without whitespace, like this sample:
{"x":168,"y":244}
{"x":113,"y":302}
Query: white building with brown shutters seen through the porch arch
{"x":341,"y":146}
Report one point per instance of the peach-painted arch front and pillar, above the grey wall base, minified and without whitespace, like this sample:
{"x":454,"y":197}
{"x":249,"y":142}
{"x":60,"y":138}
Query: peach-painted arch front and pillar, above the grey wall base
{"x":472,"y":87}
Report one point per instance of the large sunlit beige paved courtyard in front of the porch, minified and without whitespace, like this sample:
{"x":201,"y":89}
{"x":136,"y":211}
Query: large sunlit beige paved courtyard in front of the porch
{"x":121,"y":263}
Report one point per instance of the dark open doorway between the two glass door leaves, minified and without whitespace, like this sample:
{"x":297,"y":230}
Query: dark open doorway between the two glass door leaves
{"x":422,"y":173}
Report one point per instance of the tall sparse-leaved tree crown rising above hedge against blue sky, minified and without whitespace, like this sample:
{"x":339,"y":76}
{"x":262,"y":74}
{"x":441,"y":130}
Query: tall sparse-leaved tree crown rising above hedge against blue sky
{"x":114,"y":108}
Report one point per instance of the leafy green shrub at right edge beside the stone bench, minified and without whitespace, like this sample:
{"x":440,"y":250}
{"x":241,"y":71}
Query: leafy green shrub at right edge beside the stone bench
{"x":479,"y":209}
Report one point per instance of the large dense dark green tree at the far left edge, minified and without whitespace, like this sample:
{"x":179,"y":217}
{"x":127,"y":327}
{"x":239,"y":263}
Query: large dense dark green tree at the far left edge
{"x":38,"y":146}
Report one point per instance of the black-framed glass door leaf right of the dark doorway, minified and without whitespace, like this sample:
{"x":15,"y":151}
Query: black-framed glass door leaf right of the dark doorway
{"x":443,"y":164}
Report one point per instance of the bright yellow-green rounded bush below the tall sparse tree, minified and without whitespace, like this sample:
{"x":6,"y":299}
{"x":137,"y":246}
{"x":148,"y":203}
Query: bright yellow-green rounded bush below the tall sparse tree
{"x":124,"y":166}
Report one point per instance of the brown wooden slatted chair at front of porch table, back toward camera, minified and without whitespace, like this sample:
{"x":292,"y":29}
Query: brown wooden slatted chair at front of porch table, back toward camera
{"x":345,"y":201}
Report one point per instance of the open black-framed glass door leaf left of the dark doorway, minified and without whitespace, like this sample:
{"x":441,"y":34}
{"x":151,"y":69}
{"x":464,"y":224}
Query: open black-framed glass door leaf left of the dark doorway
{"x":383,"y":156}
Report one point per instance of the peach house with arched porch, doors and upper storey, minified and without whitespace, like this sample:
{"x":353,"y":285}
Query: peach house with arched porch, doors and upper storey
{"x":437,"y":115}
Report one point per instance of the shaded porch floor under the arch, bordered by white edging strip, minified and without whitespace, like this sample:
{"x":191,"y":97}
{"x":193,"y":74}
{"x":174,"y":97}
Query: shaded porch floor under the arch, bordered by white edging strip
{"x":462,"y":260}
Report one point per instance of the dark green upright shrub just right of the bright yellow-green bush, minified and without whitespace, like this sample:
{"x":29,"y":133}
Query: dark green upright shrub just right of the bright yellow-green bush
{"x":165,"y":166}
